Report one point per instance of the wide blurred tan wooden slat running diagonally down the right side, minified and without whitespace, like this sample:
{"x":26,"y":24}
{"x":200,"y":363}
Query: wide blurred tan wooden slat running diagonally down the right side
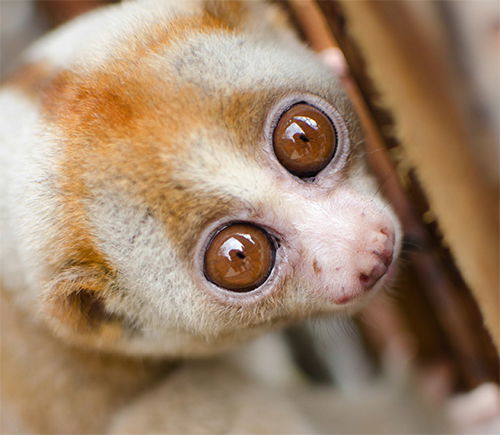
{"x":416,"y":79}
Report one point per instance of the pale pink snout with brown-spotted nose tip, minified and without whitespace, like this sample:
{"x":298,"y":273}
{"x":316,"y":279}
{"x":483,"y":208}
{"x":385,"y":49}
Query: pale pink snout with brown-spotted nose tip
{"x":347,"y":244}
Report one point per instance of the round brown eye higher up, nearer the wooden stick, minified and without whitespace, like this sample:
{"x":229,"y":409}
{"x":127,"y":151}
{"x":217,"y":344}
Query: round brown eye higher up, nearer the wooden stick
{"x":304,"y":140}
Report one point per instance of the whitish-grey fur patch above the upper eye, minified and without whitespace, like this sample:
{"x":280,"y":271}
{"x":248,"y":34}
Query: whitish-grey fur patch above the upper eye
{"x":238,"y":62}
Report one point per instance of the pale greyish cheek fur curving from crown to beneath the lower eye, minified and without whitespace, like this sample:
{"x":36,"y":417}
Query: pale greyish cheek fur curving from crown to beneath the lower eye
{"x":164,"y":295}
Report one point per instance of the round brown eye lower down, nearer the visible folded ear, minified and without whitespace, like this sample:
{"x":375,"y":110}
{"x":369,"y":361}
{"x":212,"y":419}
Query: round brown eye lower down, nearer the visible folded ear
{"x":239,"y":258}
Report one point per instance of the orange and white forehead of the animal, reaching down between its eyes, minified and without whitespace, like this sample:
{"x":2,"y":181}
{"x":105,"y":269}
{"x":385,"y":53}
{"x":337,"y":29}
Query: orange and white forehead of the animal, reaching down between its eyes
{"x":176,"y":121}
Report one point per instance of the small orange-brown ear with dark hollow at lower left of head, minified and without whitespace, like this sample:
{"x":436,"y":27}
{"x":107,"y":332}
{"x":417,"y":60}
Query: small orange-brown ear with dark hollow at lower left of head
{"x":74,"y":304}
